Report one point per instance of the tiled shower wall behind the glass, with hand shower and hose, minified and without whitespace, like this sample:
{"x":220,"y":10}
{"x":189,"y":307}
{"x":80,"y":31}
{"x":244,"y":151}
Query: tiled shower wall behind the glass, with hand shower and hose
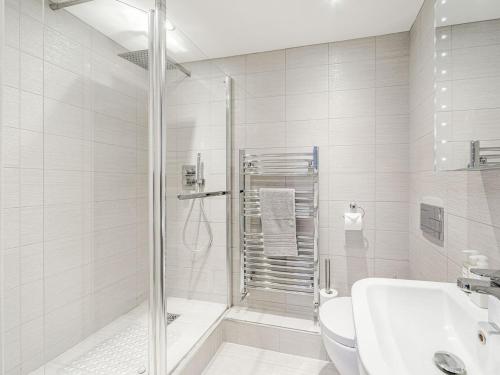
{"x":196,"y":123}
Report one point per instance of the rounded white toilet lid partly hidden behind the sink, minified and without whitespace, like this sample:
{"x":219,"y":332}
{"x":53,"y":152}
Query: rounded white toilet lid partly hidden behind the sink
{"x":337,"y":322}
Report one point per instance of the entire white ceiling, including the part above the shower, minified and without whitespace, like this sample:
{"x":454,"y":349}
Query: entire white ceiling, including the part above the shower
{"x":219,"y":28}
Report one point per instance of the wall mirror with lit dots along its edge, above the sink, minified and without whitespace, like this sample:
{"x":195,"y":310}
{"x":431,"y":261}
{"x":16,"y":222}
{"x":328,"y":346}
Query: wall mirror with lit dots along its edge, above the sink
{"x":467,"y":84}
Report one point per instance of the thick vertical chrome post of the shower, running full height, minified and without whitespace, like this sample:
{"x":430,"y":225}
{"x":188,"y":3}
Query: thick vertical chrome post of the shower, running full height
{"x":157,"y":190}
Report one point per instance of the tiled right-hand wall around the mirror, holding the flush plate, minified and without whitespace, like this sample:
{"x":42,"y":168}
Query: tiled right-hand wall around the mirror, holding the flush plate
{"x":471,"y":199}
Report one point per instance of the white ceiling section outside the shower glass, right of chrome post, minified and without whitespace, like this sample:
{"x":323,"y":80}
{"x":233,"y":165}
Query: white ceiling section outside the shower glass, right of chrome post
{"x":233,"y":27}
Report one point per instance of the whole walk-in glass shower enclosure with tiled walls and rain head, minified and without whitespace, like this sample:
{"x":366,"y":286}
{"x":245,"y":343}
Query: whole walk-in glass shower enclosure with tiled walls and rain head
{"x":115,"y":189}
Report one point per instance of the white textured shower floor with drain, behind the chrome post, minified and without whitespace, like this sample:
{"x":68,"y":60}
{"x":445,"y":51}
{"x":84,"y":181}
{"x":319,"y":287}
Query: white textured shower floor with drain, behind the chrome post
{"x":120,"y":348}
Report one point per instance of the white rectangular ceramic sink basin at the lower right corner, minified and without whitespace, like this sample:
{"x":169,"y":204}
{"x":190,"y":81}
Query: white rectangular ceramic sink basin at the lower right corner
{"x":400,"y":324}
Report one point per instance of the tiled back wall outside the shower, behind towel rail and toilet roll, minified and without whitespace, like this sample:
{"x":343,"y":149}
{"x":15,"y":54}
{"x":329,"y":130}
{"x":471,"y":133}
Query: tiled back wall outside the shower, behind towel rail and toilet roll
{"x":350,"y":99}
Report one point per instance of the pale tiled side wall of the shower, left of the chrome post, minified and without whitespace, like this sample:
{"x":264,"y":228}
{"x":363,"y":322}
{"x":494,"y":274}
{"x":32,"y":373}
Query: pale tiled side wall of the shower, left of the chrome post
{"x":74,"y":183}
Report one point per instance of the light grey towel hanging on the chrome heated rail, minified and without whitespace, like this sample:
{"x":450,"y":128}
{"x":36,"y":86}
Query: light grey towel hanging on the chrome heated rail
{"x":277,"y":207}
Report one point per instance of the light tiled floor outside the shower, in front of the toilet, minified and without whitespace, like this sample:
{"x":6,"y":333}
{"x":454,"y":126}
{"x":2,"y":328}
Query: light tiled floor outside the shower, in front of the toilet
{"x":234,"y":359}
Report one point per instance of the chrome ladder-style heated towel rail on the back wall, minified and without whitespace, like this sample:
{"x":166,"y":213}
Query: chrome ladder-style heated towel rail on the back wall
{"x":298,"y":274}
